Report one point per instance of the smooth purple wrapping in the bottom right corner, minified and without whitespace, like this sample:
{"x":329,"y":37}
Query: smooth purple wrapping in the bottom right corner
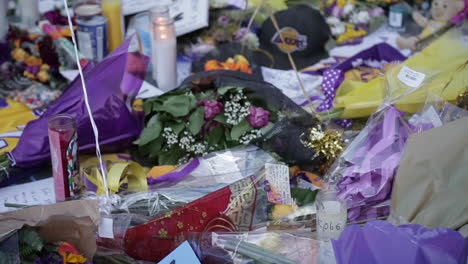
{"x":379,"y":242}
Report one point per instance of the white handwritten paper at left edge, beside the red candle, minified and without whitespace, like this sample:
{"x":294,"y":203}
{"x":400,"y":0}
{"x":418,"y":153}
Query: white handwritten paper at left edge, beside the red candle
{"x":34,"y":193}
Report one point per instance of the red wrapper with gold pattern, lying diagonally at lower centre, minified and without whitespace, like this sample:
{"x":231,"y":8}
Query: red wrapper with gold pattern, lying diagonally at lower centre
{"x":242,"y":206}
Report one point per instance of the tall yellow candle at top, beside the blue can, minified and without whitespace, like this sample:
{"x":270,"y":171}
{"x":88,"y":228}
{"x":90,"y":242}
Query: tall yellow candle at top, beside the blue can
{"x":112,"y":10}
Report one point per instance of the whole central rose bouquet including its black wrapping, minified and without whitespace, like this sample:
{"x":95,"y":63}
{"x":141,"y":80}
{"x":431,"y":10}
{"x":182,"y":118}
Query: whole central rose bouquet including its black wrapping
{"x":217,"y":110}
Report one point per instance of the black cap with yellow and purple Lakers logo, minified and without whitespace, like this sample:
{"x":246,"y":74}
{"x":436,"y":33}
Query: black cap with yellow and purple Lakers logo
{"x":305,"y":34}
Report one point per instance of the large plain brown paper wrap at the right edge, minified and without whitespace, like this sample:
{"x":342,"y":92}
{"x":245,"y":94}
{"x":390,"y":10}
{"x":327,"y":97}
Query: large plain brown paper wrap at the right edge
{"x":430,"y":186}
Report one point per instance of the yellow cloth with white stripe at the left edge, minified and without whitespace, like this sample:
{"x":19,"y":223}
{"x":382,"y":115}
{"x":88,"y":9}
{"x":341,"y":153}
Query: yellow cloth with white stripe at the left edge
{"x":13,"y":119}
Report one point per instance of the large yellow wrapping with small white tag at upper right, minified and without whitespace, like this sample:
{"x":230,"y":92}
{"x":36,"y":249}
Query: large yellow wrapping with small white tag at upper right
{"x":445,"y":64}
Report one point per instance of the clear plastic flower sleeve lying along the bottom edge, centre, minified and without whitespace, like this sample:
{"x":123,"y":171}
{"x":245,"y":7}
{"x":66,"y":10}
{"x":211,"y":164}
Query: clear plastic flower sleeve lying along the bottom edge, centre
{"x":256,"y":246}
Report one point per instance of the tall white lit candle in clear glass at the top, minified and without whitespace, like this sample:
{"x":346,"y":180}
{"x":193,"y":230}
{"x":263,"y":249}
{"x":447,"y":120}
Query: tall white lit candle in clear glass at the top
{"x":164,"y":51}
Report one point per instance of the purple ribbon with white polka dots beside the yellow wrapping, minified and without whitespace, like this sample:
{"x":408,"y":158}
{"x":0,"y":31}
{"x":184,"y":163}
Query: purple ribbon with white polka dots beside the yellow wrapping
{"x":334,"y":77}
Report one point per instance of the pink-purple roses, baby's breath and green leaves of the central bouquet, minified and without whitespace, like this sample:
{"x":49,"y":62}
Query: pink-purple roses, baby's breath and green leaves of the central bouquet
{"x":187,"y":123}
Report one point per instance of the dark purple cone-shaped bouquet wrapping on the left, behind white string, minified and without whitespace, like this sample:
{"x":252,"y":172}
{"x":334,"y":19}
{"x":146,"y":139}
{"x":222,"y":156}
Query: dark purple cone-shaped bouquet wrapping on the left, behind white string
{"x":112,"y":85}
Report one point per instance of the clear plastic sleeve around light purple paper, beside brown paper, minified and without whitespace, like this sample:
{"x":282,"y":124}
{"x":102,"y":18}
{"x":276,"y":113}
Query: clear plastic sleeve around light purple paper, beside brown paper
{"x":365,"y":171}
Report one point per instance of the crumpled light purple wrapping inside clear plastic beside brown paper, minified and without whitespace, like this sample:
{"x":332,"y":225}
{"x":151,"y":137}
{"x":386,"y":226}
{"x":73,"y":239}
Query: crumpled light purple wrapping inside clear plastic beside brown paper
{"x":372,"y":161}
